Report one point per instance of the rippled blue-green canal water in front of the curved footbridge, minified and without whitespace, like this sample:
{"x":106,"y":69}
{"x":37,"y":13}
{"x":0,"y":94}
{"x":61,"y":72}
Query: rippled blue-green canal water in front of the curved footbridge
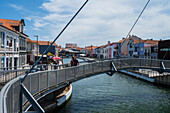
{"x":117,"y":94}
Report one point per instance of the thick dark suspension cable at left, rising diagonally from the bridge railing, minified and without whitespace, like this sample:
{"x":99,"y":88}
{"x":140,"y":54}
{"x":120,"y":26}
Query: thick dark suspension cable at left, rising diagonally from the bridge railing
{"x":22,"y":79}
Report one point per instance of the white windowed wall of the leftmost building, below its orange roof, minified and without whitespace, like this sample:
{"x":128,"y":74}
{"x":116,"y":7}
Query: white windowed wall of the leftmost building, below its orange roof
{"x":9,"y":52}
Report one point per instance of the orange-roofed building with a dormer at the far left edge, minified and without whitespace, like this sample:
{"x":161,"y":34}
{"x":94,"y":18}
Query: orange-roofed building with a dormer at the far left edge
{"x":13,"y":43}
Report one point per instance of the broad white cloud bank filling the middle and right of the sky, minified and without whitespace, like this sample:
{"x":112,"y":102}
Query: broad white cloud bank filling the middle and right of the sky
{"x":103,"y":20}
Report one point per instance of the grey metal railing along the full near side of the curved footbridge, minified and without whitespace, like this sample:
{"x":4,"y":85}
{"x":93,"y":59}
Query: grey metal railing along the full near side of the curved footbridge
{"x":40,"y":81}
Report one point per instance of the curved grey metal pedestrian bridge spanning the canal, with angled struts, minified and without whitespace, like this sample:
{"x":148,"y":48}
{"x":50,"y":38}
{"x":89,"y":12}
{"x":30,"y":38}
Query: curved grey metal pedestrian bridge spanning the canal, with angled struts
{"x":39,"y":84}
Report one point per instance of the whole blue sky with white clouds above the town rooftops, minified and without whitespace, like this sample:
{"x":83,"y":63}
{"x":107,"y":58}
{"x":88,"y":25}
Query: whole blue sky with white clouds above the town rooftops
{"x":100,"y":21}
